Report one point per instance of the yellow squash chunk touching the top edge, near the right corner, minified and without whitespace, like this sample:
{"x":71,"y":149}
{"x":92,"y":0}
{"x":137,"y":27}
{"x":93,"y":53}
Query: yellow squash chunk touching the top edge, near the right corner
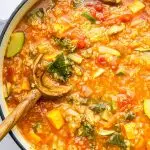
{"x":136,"y":6}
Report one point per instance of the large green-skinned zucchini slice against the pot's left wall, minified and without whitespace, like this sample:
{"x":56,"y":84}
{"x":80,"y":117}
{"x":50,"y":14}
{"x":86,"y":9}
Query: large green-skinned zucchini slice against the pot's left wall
{"x":16,"y":44}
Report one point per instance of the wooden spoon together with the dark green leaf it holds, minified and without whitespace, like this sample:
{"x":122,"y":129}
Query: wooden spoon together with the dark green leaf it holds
{"x":46,"y":84}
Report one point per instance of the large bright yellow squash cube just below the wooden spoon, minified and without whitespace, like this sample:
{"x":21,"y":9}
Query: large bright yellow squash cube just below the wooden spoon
{"x":56,"y":118}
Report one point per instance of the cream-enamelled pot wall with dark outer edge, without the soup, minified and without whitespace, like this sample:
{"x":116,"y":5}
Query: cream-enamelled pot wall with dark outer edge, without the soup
{"x":17,"y":15}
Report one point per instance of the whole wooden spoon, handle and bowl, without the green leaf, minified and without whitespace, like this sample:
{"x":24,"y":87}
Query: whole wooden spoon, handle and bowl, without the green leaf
{"x":45,"y":86}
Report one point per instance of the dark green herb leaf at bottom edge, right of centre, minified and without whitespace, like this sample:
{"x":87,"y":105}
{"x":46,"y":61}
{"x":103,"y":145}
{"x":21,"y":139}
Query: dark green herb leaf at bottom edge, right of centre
{"x":117,"y":140}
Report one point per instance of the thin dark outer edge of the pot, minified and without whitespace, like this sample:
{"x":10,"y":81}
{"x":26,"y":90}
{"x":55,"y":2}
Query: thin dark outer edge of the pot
{"x":1,"y":39}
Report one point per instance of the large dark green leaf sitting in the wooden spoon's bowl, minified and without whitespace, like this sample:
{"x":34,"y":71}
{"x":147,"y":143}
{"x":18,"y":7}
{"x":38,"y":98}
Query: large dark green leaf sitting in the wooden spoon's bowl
{"x":61,"y":68}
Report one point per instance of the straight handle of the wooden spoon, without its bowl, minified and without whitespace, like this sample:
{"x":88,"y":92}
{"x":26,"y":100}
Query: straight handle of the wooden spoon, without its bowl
{"x":11,"y":120}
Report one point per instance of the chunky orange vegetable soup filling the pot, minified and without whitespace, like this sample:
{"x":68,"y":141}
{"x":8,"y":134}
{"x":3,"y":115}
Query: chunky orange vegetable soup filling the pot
{"x":101,"y":49}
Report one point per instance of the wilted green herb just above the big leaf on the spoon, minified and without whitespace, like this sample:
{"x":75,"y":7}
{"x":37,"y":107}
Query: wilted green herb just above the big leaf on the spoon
{"x":66,"y":44}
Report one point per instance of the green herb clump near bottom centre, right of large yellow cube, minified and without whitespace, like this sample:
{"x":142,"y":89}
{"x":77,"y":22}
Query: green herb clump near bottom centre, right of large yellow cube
{"x":86,"y":130}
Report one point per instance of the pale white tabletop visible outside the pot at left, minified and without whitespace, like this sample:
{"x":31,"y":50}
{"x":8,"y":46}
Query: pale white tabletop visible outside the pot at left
{"x":6,"y":8}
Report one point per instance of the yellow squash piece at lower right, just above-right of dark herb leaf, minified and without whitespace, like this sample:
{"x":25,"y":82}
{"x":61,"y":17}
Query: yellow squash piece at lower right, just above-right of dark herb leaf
{"x":130,"y":130}
